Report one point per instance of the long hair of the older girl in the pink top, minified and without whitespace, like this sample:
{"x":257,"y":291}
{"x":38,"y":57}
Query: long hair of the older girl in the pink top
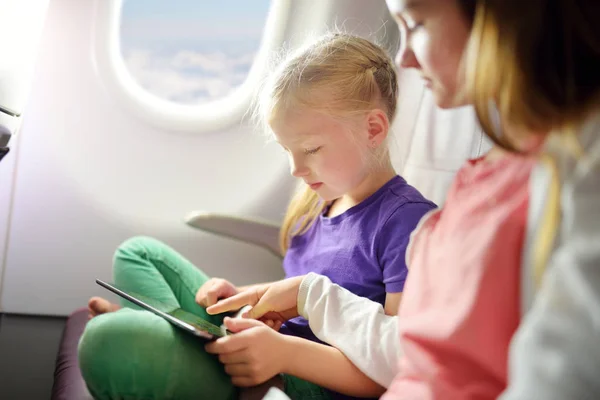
{"x":538,"y":63}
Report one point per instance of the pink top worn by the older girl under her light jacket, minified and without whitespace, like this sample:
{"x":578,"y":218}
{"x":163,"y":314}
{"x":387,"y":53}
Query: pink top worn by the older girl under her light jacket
{"x":460,"y":306}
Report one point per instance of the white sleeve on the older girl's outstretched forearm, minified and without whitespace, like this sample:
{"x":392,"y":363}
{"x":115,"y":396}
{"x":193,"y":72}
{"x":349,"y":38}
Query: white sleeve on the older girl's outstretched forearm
{"x":357,"y":326}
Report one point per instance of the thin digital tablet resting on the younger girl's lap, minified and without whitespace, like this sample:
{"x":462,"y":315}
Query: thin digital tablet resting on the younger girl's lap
{"x":180,"y":318}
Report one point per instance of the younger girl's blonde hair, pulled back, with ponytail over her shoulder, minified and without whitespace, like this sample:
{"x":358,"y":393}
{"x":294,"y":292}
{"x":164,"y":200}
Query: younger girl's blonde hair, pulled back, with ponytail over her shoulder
{"x":339,"y":74}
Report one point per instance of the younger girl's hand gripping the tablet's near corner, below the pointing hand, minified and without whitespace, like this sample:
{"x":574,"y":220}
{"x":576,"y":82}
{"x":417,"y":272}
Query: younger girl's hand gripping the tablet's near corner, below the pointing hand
{"x":253,"y":355}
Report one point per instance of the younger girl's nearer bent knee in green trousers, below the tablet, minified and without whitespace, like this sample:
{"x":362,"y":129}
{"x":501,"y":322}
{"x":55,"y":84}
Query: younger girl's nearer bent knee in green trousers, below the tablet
{"x":141,"y":354}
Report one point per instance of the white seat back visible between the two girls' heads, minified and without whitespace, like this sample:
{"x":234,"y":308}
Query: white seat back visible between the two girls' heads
{"x":429,"y":145}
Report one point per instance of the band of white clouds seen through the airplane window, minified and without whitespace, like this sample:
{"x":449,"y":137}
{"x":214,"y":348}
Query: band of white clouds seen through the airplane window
{"x":188,"y":77}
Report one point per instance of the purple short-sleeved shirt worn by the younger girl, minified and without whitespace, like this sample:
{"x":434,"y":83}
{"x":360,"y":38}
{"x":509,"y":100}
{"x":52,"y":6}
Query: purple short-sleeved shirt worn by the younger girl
{"x":362,"y":249}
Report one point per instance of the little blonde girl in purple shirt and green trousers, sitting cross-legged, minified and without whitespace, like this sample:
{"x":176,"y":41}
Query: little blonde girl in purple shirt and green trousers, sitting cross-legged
{"x":330,"y":107}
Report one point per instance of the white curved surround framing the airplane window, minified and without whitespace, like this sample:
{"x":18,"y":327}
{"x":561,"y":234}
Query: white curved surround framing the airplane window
{"x":213,"y":116}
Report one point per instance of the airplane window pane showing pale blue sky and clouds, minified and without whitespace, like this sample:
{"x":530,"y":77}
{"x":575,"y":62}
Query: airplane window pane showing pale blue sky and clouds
{"x":191,"y":51}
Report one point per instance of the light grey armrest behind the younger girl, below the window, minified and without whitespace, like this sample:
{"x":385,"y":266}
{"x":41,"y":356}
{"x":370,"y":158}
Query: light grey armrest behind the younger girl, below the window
{"x":261,"y":233}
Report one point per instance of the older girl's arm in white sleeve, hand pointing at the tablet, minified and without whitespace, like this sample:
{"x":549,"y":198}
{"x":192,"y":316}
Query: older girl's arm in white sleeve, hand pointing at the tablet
{"x":357,"y":326}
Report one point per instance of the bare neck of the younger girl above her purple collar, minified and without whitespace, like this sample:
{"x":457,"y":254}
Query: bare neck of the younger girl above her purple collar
{"x":372,"y":183}
